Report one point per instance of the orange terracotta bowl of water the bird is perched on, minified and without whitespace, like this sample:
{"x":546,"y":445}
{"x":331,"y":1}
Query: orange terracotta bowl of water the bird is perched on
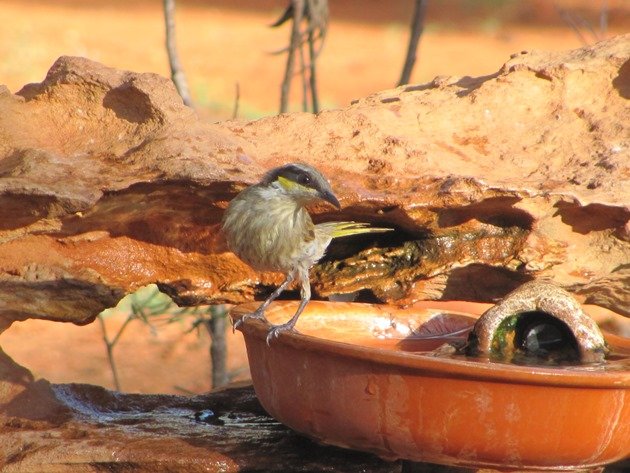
{"x":355,"y":377}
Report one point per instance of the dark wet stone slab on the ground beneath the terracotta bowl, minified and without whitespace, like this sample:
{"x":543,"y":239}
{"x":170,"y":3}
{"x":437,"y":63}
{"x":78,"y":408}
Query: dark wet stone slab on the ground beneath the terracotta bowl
{"x":222,"y":431}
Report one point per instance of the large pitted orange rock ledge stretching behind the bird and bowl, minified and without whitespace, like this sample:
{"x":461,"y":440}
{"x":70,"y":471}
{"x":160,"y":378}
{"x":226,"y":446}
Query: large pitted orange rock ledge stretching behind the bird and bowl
{"x":108,"y":183}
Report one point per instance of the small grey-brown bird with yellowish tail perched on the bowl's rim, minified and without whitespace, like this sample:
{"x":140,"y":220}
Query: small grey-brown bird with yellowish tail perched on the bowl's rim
{"x":267,"y":226}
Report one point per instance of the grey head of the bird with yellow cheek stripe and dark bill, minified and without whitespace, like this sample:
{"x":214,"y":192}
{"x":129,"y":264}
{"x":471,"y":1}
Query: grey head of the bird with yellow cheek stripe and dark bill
{"x":301,"y":182}
